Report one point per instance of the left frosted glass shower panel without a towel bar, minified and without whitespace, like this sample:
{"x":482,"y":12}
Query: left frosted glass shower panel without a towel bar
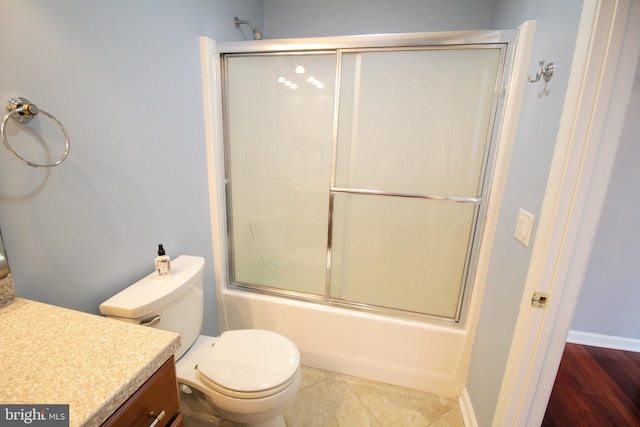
{"x":279,"y":154}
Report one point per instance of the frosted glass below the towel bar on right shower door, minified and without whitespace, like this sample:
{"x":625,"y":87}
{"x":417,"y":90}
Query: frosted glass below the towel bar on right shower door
{"x":400,"y":253}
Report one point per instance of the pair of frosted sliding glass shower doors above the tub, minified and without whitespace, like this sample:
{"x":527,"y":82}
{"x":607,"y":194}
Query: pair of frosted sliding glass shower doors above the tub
{"x":358,"y":176}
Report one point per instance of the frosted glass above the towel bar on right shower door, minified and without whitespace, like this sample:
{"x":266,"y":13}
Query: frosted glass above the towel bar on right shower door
{"x":415,"y":121}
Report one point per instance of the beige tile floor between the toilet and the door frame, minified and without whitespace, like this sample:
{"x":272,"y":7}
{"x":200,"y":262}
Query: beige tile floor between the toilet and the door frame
{"x":327,"y":399}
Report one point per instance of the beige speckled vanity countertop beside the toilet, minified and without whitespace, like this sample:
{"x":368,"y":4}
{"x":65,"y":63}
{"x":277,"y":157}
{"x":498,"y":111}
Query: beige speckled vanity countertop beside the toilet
{"x":52,"y":355}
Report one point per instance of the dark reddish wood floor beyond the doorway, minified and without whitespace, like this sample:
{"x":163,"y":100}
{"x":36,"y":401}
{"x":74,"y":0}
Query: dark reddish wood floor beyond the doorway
{"x":595,"y":387}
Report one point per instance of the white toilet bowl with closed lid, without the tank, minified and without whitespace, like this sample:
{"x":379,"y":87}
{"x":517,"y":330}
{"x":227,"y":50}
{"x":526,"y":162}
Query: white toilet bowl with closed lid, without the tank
{"x":239,"y":387}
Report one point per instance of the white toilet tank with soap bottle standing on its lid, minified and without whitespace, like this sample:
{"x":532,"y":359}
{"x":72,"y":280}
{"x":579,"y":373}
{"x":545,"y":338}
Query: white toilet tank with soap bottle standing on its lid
{"x":173,"y":303}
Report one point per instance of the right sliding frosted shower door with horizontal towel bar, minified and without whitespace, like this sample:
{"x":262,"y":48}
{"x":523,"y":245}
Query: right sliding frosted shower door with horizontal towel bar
{"x":411,"y":149}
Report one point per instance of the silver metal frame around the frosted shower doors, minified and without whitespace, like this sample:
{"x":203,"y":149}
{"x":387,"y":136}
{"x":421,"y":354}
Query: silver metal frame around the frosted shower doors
{"x":501,"y":39}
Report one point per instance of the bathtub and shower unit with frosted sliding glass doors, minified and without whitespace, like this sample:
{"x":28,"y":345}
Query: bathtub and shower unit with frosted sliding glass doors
{"x":350,"y":184}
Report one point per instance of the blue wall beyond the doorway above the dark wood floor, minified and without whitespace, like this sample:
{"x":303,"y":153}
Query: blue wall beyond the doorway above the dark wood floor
{"x":609,"y":301}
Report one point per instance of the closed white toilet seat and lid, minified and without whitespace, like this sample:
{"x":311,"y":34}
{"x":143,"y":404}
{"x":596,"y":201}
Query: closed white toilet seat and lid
{"x":249,"y":364}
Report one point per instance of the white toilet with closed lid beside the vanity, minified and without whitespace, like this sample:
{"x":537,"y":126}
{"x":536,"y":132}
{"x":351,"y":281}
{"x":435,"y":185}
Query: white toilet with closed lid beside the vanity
{"x":245,"y":377}
